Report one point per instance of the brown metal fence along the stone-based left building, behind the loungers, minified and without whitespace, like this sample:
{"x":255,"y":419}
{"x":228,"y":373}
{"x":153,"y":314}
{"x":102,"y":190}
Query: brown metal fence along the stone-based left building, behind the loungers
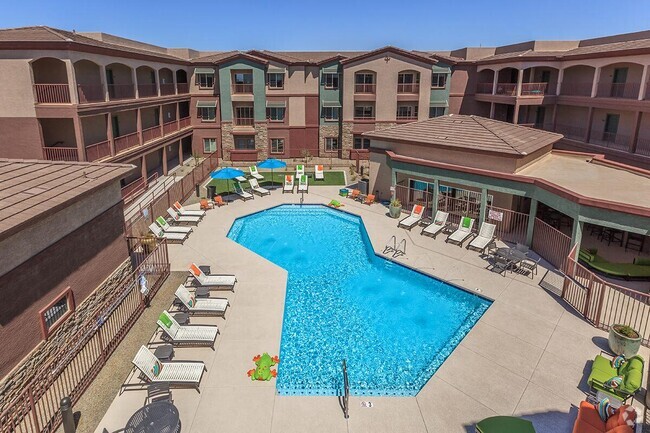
{"x":70,"y":370}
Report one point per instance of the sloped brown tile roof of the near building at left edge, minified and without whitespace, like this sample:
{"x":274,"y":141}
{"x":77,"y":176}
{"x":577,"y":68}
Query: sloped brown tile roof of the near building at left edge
{"x":30,"y":189}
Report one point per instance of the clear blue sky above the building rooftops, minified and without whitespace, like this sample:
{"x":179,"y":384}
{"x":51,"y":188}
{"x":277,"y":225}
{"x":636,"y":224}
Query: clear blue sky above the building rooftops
{"x":334,"y":24}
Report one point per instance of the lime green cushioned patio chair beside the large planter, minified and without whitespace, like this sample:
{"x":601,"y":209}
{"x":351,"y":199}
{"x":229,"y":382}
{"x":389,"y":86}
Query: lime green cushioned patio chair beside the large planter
{"x":631,"y":371}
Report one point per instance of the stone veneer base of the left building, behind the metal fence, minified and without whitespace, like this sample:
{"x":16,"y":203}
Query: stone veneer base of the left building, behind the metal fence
{"x":16,"y":381}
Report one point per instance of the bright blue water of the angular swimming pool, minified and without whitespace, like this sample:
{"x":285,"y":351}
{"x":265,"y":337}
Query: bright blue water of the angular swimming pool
{"x":393,"y":325}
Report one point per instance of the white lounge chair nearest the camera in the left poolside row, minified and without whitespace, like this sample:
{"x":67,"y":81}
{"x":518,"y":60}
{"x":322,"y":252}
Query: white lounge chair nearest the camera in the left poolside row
{"x":173,"y":373}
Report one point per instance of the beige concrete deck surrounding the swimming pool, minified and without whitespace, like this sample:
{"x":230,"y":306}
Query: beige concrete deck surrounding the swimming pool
{"x":529,"y":355}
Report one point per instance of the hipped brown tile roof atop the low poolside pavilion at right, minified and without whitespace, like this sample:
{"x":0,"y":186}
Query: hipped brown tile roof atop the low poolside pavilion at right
{"x":470,"y":133}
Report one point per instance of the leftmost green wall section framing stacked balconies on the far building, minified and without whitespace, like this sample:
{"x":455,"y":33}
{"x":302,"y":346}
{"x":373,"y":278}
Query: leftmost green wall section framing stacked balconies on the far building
{"x":259,"y":88}
